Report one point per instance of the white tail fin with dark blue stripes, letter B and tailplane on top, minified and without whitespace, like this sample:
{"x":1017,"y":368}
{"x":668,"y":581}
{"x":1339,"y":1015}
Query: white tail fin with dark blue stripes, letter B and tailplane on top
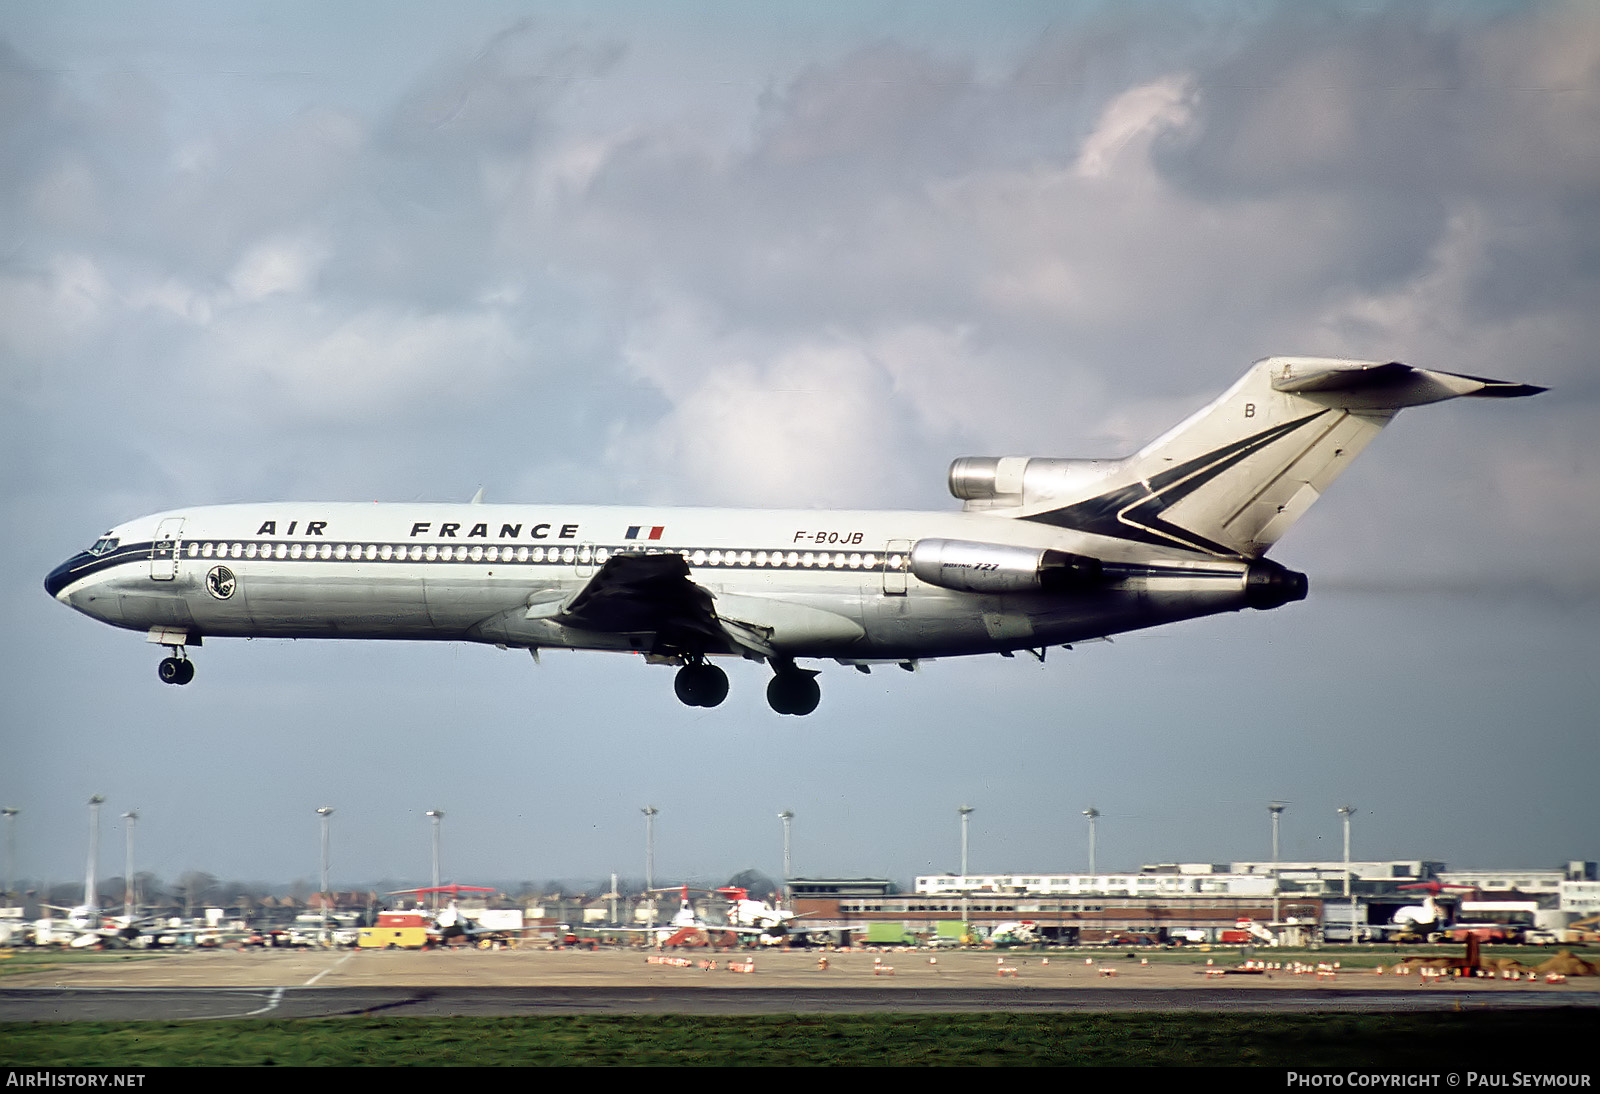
{"x":1233,"y":479}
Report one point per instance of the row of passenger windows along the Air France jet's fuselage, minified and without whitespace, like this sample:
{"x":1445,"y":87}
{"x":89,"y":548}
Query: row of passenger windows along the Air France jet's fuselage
{"x":478,"y":553}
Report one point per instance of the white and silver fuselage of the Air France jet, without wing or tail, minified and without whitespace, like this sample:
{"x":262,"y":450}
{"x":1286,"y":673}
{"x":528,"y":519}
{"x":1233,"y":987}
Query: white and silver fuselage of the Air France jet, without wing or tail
{"x":817,"y":583}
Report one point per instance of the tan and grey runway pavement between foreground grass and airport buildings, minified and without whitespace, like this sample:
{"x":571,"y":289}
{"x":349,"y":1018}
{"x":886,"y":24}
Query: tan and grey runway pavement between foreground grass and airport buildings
{"x":233,"y":984}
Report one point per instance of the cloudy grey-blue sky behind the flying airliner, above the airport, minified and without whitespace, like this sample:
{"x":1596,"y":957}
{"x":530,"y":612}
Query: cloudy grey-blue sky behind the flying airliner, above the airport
{"x":801,"y":255}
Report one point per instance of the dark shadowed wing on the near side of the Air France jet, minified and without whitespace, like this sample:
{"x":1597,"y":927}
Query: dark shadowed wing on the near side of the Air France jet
{"x":646,"y":594}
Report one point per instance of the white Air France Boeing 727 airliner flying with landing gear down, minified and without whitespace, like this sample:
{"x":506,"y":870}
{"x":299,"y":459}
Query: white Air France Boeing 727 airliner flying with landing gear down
{"x":1046,"y":553}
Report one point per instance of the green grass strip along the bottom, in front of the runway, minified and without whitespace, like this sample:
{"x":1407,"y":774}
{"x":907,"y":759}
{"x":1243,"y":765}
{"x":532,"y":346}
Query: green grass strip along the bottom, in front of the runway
{"x":1530,"y":1040}
